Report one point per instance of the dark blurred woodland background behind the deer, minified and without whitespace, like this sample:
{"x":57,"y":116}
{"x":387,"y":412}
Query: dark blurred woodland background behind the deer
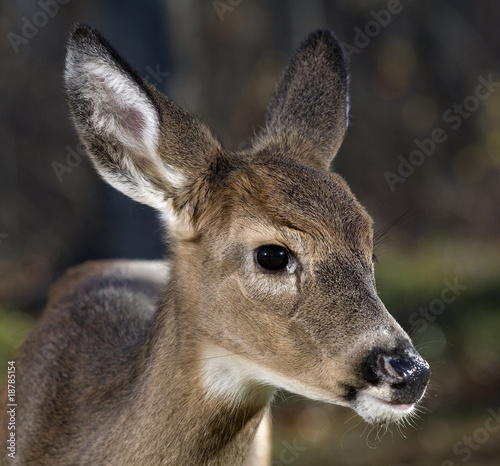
{"x":422,"y":154}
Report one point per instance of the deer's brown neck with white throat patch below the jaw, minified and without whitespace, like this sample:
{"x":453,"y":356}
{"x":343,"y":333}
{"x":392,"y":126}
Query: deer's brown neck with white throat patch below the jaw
{"x":183,"y":411}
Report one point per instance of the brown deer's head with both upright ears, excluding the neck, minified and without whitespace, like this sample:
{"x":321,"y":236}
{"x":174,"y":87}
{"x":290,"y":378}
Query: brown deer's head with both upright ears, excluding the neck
{"x":272,"y":276}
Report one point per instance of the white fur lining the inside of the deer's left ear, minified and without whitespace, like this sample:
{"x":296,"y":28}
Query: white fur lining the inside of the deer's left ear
{"x":123,"y":112}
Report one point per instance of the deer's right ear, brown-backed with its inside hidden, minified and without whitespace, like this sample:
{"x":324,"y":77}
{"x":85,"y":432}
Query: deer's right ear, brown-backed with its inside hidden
{"x":308,"y":113}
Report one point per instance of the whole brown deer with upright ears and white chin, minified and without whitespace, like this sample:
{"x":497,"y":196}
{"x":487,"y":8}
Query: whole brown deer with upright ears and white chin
{"x":268,"y":283}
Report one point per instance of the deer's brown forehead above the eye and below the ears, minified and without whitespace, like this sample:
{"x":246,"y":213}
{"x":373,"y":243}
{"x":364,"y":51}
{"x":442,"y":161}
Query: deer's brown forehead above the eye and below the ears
{"x":304,"y":209}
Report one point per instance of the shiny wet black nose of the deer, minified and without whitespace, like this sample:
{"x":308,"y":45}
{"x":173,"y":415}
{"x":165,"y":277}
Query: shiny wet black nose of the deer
{"x":403,"y":370}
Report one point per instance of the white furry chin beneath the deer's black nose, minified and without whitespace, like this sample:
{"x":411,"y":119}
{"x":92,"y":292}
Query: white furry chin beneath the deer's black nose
{"x":376,"y":410}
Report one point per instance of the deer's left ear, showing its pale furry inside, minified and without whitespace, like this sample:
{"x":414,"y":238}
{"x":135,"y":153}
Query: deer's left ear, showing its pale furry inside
{"x":139,"y":141}
